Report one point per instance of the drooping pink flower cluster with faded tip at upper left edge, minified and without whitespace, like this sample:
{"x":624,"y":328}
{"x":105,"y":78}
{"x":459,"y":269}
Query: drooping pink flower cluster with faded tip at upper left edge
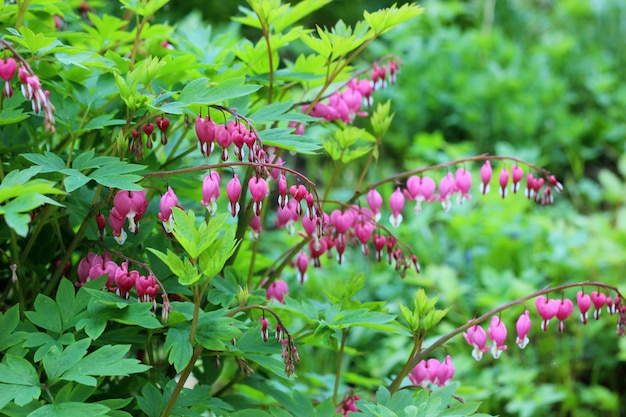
{"x":30,"y":86}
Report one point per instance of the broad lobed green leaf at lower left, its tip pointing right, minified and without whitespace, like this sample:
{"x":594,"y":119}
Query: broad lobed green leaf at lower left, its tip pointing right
{"x":106,"y":361}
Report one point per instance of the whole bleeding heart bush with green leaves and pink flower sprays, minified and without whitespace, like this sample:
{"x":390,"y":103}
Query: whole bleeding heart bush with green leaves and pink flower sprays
{"x":170,"y":194}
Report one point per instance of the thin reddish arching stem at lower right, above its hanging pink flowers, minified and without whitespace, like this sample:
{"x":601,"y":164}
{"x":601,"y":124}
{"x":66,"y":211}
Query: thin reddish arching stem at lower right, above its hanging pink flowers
{"x":393,"y":387}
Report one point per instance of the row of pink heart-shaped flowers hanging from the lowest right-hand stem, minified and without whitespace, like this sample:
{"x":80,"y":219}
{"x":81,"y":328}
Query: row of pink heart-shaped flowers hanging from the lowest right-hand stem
{"x":548,"y":309}
